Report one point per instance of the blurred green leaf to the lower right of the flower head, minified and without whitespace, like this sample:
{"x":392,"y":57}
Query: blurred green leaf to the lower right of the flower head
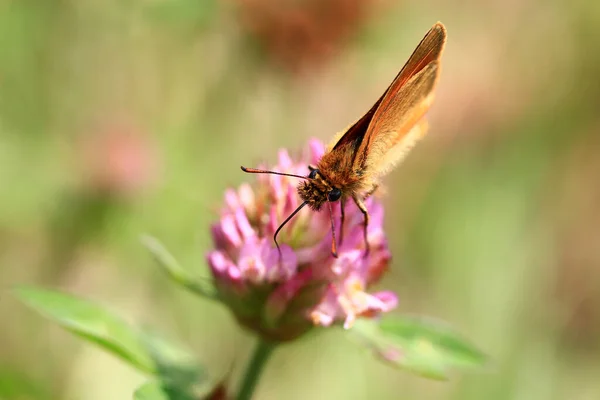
{"x":423,"y":346}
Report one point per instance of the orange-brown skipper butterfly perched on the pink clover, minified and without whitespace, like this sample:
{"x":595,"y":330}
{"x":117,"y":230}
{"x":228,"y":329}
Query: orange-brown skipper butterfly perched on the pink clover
{"x":359,"y":156}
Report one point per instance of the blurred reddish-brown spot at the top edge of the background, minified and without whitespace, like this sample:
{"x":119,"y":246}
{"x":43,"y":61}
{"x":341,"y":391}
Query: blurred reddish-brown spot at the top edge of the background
{"x":300,"y":34}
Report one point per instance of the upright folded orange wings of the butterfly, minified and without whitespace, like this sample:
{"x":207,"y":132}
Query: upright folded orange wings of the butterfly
{"x":398,"y":110}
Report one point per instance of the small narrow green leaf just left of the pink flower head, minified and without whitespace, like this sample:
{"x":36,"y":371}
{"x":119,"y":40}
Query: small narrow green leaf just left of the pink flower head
{"x":175,"y":271}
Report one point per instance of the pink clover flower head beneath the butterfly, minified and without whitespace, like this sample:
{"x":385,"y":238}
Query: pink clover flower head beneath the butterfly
{"x":283,"y":295}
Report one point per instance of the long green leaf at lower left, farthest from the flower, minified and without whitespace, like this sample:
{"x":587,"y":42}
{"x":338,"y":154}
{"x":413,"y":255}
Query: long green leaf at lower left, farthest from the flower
{"x":91,"y":322}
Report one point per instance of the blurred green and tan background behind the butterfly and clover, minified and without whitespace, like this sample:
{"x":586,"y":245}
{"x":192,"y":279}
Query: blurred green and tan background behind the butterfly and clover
{"x":124,"y":117}
